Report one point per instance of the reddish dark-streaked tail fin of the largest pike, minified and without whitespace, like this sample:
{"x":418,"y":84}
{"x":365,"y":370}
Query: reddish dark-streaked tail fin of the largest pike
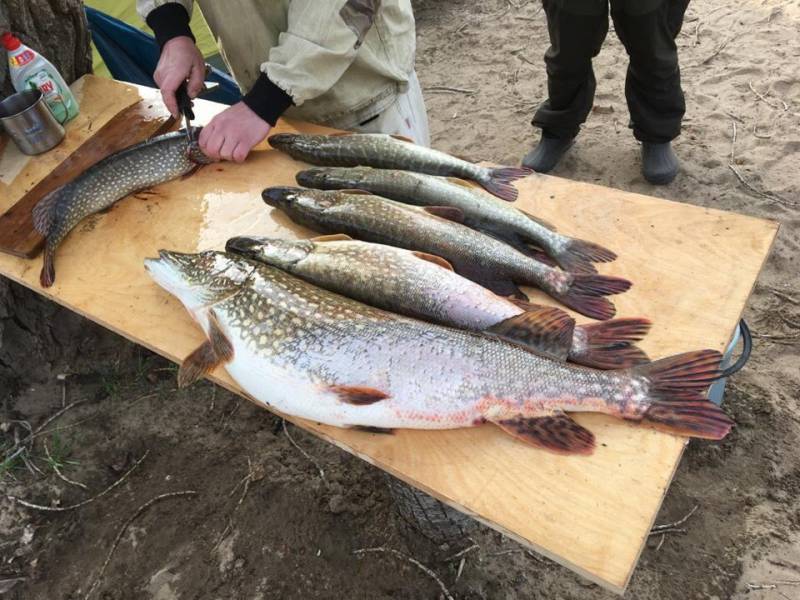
{"x":677,"y":387}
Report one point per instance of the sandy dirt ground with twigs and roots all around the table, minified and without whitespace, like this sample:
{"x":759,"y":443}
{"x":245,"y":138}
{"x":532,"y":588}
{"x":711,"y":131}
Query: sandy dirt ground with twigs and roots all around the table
{"x":265,"y":524}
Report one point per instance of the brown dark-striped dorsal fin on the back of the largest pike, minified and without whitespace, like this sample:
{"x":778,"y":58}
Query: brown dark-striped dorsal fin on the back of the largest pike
{"x":545,"y":329}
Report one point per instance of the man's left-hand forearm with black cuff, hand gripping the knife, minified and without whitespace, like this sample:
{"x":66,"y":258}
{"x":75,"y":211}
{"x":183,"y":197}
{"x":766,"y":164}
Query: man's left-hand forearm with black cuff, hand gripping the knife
{"x":180,"y":58}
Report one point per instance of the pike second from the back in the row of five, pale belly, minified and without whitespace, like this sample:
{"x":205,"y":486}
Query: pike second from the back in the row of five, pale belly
{"x":480,"y":210}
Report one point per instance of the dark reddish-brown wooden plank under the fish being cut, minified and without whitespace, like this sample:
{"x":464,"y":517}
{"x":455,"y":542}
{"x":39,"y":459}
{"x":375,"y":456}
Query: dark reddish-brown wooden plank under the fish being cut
{"x":136,"y":123}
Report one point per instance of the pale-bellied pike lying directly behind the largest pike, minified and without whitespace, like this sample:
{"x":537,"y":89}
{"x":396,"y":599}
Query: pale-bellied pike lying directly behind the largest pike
{"x":424,"y":286}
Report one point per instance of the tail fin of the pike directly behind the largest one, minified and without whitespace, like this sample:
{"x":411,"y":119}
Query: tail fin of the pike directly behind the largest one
{"x":609,"y":345}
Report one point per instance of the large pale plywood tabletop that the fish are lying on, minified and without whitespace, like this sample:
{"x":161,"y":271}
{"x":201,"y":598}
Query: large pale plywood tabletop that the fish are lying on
{"x":591,"y":514}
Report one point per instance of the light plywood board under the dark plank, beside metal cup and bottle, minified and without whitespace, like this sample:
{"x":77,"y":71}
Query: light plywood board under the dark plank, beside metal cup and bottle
{"x":100,"y":100}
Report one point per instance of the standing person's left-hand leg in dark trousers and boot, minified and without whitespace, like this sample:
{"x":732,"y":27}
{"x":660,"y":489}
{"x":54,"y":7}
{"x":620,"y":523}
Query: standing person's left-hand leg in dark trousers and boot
{"x":577,"y":29}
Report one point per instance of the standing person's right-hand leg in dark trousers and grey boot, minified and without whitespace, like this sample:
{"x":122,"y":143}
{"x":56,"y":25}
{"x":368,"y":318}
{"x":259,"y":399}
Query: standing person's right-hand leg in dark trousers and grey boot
{"x":653,"y":84}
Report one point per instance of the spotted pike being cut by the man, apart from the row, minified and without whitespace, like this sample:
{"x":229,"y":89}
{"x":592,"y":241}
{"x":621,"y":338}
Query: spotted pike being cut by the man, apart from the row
{"x":135,"y":168}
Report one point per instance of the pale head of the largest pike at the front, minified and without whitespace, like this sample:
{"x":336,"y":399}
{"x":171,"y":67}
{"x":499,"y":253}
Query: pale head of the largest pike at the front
{"x":199,"y":280}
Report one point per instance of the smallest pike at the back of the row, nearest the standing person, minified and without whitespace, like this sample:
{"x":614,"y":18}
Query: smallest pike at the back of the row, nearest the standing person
{"x":395,"y":152}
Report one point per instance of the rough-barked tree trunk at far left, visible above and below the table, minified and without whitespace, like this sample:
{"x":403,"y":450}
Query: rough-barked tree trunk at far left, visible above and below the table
{"x":35,"y":333}
